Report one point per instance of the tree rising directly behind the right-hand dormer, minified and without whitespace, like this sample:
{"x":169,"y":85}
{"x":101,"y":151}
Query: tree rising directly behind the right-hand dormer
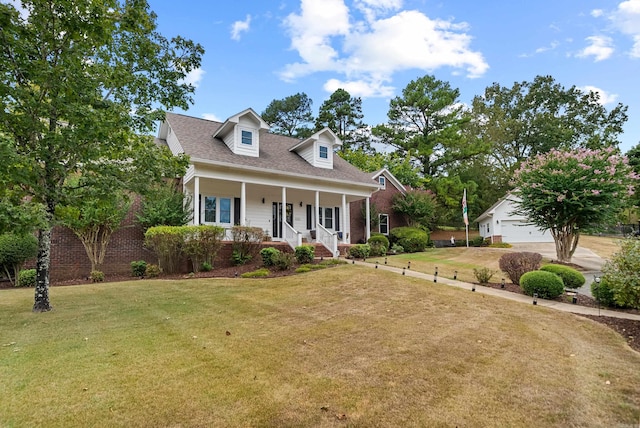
{"x":343,"y":115}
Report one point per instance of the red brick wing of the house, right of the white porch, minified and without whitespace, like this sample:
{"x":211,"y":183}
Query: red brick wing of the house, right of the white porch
{"x":381,"y":202}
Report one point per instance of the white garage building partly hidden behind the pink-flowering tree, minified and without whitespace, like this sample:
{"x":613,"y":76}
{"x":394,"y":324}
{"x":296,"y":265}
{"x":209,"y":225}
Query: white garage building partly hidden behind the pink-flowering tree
{"x":501,"y":224}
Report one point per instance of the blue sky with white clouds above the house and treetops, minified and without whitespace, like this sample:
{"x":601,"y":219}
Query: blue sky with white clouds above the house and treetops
{"x":261,"y":50}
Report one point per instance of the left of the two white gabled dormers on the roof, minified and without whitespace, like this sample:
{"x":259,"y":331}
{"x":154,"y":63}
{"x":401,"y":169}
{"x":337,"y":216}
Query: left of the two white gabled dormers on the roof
{"x":241,"y":133}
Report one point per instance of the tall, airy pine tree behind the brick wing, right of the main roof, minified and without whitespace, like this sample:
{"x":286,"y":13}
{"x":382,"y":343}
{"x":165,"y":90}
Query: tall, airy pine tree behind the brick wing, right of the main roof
{"x":426,"y":122}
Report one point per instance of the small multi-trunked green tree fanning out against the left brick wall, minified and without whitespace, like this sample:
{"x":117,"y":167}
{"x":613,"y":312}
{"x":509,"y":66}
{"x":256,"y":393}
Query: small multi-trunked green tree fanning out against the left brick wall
{"x":93,"y":218}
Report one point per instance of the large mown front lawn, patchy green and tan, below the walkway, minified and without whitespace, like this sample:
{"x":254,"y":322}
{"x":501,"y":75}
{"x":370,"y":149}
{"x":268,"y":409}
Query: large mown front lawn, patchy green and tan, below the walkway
{"x":381,"y":348}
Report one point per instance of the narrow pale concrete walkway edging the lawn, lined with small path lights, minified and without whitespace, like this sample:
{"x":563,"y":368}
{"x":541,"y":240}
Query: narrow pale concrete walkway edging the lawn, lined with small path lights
{"x":522,"y":298}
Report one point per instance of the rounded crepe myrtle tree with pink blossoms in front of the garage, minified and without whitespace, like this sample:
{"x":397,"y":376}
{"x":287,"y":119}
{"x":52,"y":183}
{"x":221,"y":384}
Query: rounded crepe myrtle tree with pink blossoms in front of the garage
{"x":566,"y":191}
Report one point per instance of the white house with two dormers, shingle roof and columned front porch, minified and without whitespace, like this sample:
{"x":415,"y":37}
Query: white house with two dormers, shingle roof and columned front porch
{"x":240,"y":174}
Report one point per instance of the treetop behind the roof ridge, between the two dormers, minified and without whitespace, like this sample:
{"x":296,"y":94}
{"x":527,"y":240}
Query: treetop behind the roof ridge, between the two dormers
{"x":290,"y":116}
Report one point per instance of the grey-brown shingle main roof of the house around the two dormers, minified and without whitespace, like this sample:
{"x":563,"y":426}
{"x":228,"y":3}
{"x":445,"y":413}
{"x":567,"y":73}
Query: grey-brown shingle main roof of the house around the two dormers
{"x":196,"y":138}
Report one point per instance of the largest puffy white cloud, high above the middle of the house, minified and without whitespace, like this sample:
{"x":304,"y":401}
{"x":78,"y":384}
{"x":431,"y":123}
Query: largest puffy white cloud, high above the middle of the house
{"x":329,"y":37}
